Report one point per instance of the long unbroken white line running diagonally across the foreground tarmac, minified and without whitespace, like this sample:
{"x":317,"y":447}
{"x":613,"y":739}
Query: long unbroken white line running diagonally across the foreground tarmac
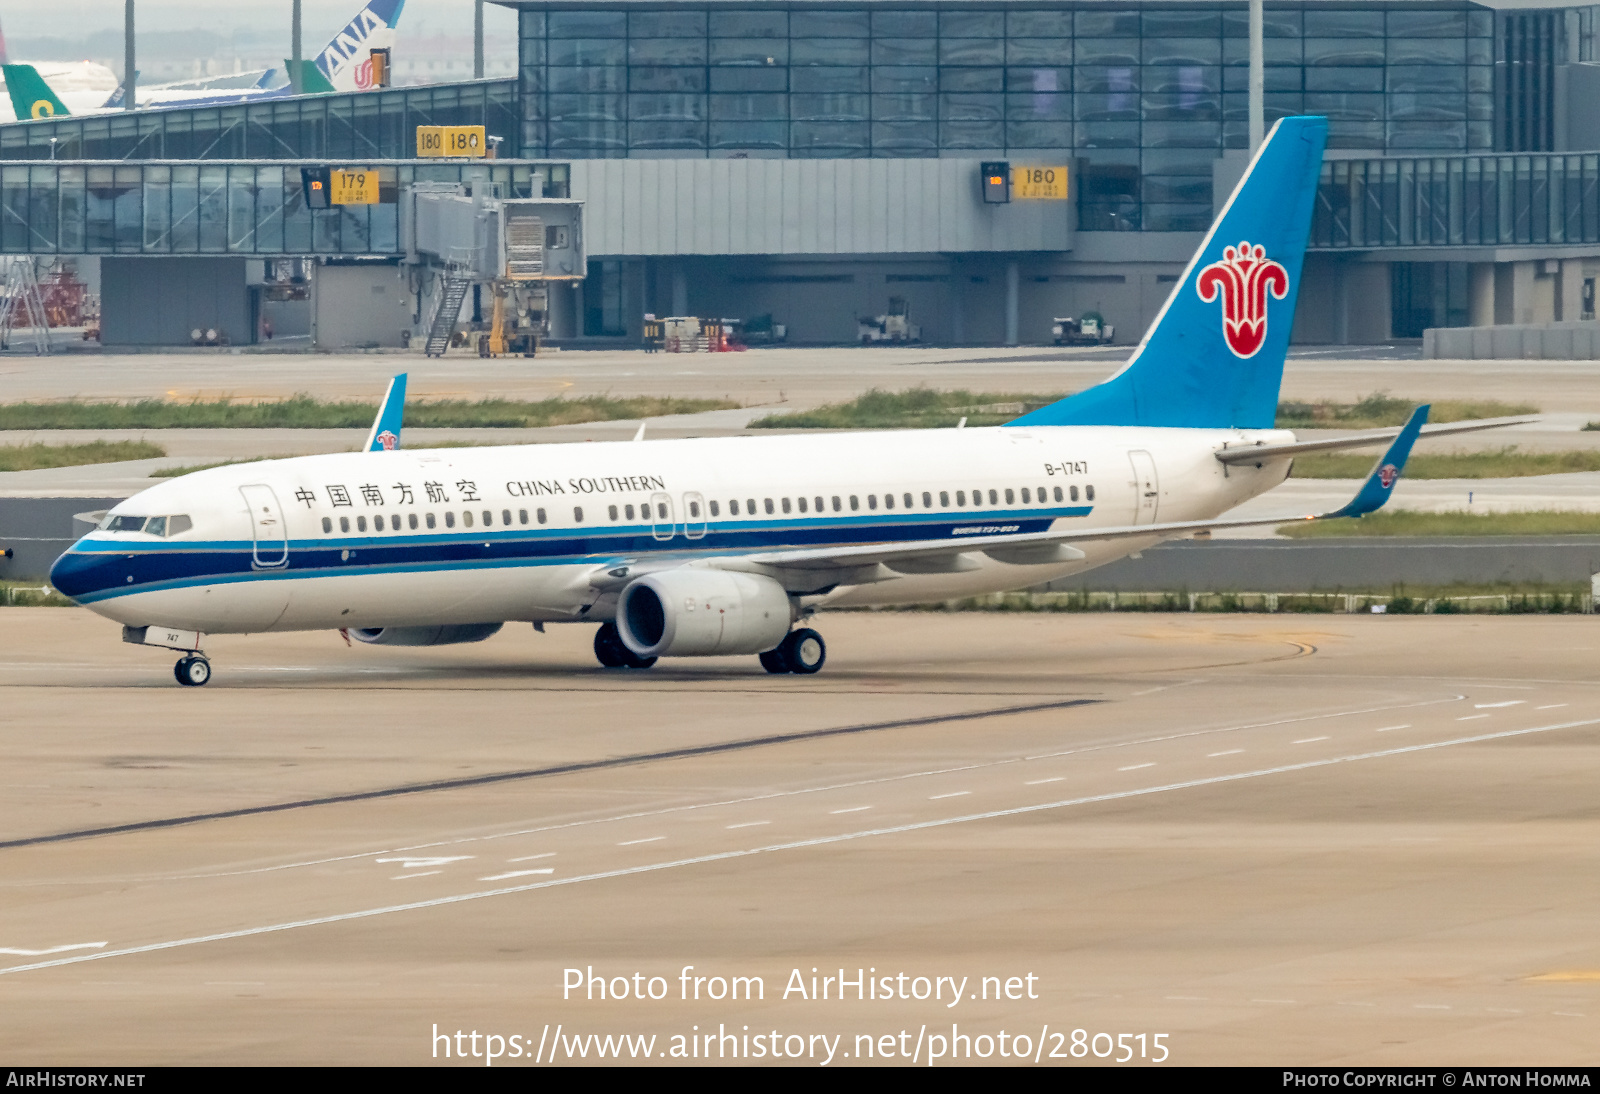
{"x":817,"y":842}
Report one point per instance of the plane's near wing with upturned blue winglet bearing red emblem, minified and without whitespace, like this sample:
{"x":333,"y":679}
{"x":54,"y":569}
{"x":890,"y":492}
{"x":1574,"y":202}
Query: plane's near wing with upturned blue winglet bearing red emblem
{"x":870,"y":562}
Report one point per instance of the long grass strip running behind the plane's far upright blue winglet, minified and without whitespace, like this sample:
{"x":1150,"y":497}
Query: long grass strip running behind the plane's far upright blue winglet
{"x":303,"y":412}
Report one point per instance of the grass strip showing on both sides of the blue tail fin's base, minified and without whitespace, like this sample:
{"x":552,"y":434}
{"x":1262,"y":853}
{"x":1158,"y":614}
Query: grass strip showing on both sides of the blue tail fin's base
{"x":927,"y":409}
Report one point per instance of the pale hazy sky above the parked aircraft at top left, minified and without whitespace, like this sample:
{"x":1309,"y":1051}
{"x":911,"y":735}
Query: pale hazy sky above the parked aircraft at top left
{"x":79,"y":18}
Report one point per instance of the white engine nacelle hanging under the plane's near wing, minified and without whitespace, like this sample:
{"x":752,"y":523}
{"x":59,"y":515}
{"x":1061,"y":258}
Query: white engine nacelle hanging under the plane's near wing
{"x":684,"y":613}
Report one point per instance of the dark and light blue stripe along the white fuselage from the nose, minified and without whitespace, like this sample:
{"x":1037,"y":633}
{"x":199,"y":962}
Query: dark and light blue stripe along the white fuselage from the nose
{"x":102,"y":567}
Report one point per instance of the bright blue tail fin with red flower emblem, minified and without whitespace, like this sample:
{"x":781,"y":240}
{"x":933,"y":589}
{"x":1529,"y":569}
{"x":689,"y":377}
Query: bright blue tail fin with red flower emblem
{"x":1215,"y":354}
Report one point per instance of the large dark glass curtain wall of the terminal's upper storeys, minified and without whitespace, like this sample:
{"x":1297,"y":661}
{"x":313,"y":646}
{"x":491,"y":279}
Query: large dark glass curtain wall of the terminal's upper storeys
{"x":1146,"y":95}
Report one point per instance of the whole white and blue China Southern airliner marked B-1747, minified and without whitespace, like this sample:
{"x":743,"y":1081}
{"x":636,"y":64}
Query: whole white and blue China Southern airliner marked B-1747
{"x":729,"y":546}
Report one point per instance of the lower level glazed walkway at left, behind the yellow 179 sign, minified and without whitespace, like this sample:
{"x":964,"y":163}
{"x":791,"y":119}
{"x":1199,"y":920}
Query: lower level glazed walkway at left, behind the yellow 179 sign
{"x":222,"y":207}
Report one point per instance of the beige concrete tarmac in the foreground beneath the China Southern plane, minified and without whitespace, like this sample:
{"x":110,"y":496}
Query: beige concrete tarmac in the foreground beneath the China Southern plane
{"x":1273,"y":840}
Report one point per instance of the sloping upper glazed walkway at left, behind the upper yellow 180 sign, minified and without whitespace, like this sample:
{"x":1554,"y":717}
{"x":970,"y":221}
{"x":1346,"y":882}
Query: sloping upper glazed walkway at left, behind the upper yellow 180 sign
{"x":375,"y":126}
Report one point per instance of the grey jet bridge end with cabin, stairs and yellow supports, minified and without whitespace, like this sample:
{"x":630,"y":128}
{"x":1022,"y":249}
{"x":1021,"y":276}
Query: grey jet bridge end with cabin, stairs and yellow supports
{"x":465,"y":234}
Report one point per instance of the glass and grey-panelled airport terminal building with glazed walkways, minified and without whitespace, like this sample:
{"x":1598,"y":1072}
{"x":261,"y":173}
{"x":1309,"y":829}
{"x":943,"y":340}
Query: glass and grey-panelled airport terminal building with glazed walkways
{"x":815,"y":161}
